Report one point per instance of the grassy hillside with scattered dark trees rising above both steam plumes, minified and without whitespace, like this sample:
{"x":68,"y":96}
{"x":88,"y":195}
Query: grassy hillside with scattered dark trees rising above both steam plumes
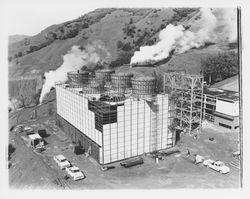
{"x":122,"y":31}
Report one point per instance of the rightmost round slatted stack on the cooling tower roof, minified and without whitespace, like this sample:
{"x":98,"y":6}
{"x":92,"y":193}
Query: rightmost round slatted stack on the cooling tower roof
{"x":143,"y":87}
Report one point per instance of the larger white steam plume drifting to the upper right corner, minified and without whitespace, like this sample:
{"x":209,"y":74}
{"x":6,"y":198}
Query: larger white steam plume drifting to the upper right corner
{"x":180,"y":40}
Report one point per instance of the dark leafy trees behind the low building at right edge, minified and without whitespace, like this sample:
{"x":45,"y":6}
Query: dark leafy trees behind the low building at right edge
{"x":218,"y":67}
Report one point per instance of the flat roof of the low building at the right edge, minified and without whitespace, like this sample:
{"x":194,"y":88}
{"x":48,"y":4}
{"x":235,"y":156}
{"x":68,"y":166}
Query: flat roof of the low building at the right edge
{"x":221,"y":93}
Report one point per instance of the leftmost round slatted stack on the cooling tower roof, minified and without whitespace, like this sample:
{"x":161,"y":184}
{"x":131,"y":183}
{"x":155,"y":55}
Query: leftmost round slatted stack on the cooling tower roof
{"x":77,"y":78}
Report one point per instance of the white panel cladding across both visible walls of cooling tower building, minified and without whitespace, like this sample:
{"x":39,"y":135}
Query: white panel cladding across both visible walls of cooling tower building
{"x":141,"y":126}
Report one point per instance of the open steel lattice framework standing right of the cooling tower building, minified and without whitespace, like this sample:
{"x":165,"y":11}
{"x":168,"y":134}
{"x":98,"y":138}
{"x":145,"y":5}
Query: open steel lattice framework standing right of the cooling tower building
{"x":186,"y":100}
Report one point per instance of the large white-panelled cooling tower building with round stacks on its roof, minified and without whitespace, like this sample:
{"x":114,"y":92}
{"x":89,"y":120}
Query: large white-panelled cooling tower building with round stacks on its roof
{"x":114,"y":116}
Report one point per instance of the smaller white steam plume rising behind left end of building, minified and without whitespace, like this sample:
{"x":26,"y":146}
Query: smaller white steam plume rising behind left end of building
{"x":73,"y":61}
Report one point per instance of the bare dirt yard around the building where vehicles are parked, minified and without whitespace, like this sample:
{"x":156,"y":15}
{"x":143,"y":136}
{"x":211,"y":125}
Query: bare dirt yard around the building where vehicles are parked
{"x":30,"y":169}
